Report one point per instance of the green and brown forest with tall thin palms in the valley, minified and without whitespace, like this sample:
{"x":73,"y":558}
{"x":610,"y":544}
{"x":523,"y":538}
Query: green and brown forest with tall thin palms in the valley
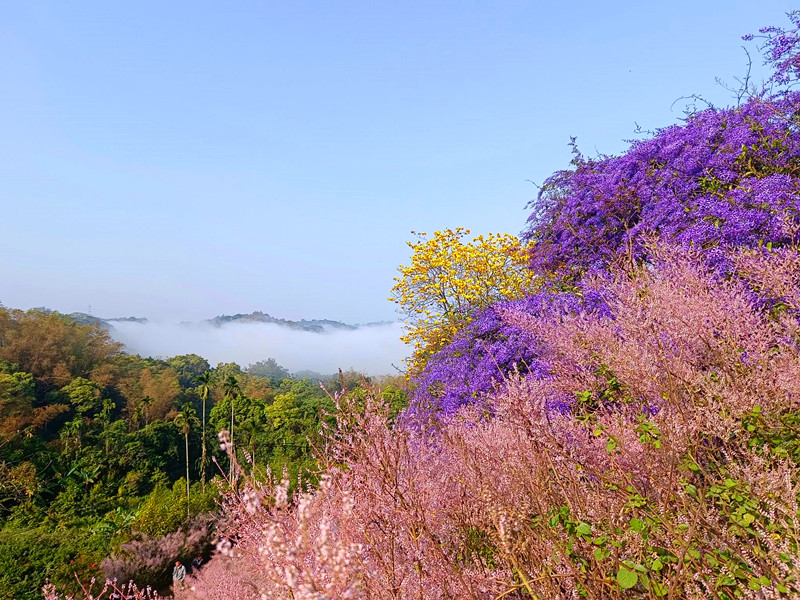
{"x":94,"y":443}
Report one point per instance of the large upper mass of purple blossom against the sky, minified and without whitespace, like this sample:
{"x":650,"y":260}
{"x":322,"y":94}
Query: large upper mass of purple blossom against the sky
{"x":724,"y":179}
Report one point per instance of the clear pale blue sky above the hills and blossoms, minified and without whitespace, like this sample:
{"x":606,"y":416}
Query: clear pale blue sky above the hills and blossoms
{"x":180,"y":160}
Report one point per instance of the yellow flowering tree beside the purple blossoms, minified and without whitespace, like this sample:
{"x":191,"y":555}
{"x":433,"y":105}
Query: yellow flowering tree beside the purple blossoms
{"x":449,"y":278}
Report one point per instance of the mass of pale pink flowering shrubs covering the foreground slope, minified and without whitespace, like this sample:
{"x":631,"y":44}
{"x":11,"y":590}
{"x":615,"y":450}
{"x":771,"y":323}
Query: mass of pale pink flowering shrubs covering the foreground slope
{"x":674,"y":475}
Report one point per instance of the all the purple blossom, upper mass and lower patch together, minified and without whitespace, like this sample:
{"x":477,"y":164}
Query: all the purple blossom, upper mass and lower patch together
{"x":725,"y":181}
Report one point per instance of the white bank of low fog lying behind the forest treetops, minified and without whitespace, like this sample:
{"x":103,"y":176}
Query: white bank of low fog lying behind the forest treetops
{"x":371,"y":349}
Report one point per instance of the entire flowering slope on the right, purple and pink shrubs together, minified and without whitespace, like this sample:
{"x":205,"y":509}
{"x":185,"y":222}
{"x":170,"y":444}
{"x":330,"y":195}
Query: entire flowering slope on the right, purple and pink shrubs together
{"x":629,"y":430}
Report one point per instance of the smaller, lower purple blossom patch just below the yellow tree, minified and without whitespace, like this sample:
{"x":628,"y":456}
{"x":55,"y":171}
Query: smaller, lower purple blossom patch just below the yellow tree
{"x":480,"y":357}
